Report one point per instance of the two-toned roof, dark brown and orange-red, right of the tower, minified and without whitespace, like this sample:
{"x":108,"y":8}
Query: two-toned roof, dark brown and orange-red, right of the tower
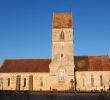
{"x":92,"y":63}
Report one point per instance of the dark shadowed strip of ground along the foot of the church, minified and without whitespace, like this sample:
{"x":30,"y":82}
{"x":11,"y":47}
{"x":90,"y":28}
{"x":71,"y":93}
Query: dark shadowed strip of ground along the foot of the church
{"x":28,"y":95}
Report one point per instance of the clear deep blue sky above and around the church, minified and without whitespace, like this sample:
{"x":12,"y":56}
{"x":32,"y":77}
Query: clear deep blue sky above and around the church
{"x":26,"y":27}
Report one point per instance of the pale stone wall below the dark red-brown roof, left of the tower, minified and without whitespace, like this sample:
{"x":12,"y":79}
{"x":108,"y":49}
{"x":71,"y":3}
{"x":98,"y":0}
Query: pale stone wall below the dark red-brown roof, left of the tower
{"x":8,"y":81}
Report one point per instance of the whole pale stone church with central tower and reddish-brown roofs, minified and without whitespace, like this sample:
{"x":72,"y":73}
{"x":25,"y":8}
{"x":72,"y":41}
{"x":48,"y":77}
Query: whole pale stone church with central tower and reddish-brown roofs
{"x":64,"y":71}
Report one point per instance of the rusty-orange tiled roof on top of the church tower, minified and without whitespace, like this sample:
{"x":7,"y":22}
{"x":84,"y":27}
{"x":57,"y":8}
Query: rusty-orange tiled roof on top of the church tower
{"x":62,"y":20}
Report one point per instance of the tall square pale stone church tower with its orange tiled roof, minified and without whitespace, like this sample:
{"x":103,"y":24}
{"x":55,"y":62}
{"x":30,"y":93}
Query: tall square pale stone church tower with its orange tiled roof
{"x":62,"y":61}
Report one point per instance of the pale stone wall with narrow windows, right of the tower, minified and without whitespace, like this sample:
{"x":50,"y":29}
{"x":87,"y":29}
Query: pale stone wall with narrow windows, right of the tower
{"x":92,"y":80}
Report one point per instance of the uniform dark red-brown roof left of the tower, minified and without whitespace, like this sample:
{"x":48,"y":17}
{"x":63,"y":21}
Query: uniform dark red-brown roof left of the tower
{"x":25,"y":65}
